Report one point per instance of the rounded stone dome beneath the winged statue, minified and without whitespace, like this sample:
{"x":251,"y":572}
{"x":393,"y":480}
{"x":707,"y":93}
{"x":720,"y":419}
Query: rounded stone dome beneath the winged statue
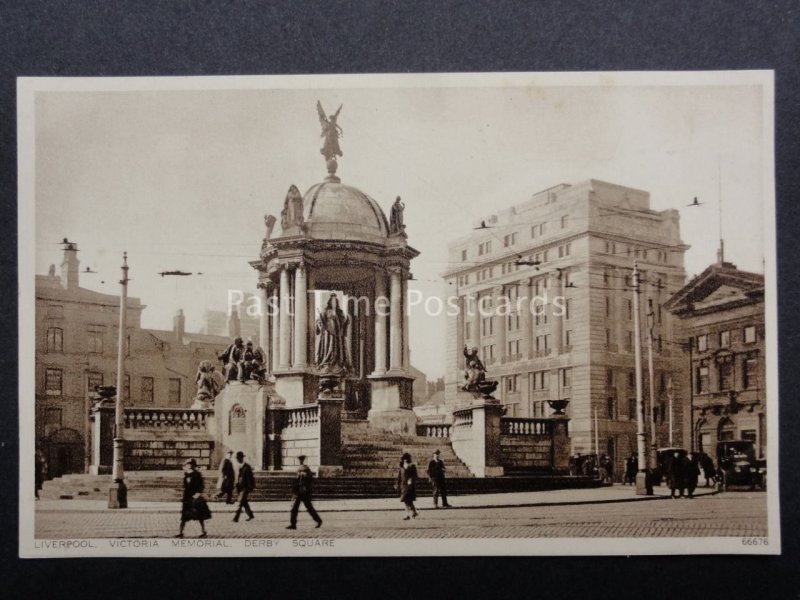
{"x":340,"y":212}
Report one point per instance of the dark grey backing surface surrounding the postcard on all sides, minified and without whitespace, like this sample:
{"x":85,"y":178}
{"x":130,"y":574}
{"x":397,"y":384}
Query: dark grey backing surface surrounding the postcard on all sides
{"x":181,"y":37}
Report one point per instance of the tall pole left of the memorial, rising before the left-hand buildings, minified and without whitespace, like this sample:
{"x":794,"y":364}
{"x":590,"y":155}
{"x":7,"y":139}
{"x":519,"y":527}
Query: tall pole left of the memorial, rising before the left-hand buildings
{"x":118,"y":492}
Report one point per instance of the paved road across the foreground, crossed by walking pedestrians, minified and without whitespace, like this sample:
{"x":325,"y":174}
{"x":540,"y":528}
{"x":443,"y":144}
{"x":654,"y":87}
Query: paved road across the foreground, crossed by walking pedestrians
{"x":607,"y":512}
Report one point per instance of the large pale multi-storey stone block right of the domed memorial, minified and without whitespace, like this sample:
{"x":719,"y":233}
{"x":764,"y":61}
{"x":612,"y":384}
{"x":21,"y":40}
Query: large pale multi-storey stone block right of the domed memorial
{"x":571,"y":249}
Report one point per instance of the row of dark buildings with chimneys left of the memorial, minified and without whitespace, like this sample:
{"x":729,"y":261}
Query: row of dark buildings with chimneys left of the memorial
{"x":76,"y":349}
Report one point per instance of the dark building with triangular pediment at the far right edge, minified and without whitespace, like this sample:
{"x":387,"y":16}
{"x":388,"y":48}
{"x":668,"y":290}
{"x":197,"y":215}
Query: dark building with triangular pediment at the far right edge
{"x":721,"y":314}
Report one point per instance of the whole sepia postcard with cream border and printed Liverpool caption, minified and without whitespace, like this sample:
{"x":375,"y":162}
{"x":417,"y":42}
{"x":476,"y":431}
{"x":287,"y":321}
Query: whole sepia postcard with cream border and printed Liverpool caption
{"x":376,"y":315}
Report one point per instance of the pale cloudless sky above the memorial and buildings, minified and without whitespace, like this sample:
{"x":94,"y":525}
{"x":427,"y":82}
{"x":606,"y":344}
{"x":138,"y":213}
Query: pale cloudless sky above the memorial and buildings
{"x":182,"y":178}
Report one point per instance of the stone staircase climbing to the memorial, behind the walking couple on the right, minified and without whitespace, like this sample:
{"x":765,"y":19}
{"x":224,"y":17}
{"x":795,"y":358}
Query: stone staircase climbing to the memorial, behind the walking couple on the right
{"x":370,"y":452}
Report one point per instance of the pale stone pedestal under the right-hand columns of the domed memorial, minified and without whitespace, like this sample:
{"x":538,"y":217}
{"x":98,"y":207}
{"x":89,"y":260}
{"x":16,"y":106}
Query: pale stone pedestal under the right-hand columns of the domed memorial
{"x":392,"y":404}
